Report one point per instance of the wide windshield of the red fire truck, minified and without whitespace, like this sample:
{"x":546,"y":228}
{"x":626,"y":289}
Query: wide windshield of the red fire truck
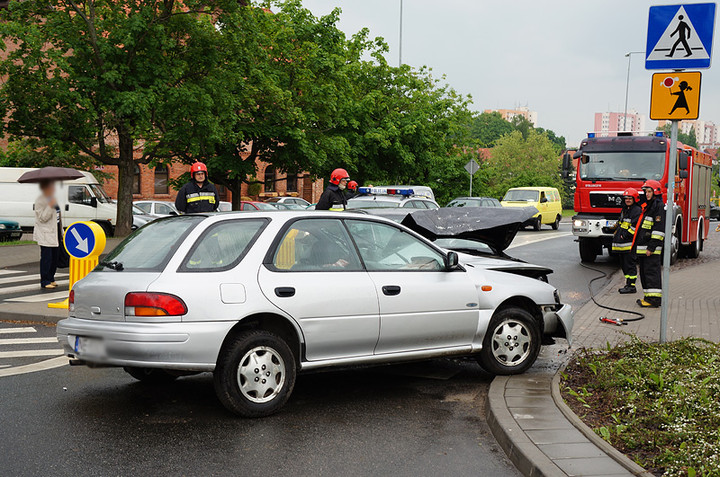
{"x":622,"y":166}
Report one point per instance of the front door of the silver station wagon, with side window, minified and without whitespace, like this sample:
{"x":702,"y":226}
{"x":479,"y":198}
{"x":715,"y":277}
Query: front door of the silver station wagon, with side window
{"x":422,"y":306}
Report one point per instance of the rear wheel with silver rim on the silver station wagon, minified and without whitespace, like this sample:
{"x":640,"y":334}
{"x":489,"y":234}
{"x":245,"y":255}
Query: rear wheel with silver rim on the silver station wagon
{"x":275,"y":374}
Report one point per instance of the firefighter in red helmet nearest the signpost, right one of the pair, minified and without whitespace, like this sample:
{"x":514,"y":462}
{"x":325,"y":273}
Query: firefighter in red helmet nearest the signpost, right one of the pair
{"x":649,"y":244}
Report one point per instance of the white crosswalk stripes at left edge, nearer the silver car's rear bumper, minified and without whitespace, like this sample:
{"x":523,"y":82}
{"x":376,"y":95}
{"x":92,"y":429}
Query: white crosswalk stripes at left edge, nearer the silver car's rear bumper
{"x":27,"y":349}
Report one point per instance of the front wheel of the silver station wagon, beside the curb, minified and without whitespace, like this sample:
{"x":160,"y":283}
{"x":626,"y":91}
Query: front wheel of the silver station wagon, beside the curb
{"x":498,"y":356}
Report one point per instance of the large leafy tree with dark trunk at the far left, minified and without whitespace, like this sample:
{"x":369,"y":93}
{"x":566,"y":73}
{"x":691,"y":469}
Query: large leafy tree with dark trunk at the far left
{"x":100,"y":80}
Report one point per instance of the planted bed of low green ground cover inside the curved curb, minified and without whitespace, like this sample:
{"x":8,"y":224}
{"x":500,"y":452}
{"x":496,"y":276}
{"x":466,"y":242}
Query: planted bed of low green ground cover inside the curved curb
{"x":660,"y":404}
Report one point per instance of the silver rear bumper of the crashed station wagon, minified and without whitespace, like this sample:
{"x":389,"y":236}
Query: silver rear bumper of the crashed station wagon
{"x":182,"y":346}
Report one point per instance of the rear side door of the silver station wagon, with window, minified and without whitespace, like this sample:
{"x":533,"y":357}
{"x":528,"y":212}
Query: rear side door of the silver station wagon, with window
{"x":315,"y":275}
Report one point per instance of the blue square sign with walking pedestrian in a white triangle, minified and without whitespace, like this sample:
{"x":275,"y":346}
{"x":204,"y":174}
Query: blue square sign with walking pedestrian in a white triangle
{"x":680,"y":36}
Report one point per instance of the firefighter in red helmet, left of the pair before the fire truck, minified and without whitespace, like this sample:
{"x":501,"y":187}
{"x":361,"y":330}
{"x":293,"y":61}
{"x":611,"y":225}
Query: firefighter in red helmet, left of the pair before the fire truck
{"x":624,"y":238}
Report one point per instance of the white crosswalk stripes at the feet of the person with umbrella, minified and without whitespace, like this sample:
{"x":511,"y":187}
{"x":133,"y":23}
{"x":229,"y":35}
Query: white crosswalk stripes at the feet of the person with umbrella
{"x":21,"y":286}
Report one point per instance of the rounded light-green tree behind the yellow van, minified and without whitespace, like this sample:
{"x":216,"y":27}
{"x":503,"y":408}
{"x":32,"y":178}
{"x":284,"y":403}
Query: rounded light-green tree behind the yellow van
{"x":522,"y":162}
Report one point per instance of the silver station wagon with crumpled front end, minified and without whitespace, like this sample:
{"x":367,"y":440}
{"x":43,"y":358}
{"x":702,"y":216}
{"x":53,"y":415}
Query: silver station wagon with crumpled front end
{"x":256,"y":298}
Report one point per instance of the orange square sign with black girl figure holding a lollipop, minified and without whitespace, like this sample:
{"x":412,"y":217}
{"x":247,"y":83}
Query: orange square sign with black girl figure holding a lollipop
{"x":675,"y":95}
